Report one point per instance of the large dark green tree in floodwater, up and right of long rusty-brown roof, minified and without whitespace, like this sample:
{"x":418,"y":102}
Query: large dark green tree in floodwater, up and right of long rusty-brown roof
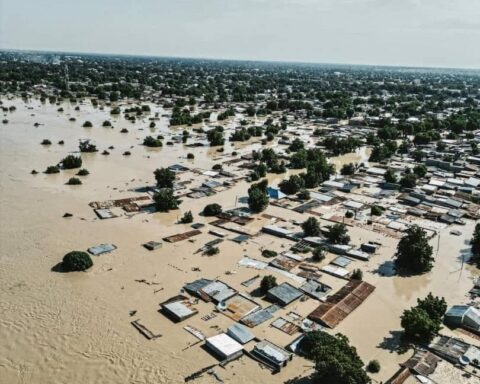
{"x":414,"y":254}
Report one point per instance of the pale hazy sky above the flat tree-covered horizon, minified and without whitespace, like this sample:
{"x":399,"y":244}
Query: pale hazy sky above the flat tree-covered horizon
{"x":426,"y":33}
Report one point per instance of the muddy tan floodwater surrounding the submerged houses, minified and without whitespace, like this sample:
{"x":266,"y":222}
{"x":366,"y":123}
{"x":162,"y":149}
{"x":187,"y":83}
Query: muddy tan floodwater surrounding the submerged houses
{"x":75,"y":328}
